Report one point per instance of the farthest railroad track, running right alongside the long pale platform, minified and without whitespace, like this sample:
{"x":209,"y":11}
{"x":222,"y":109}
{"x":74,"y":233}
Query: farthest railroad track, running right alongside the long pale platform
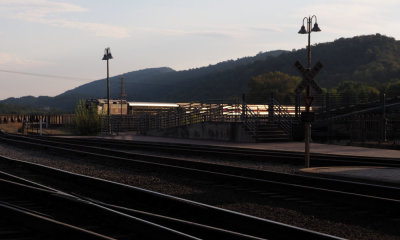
{"x":233,"y":153}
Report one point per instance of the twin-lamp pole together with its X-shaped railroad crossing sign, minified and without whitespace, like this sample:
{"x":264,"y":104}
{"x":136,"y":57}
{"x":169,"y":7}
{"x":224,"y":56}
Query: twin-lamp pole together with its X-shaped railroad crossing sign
{"x":308,"y":75}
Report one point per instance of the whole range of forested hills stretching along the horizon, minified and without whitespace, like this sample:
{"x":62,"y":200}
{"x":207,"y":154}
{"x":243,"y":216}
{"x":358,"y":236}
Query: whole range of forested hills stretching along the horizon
{"x":372,"y":59}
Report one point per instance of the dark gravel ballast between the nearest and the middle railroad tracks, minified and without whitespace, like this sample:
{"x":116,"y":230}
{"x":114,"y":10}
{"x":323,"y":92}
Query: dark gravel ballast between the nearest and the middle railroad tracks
{"x":311,"y":216}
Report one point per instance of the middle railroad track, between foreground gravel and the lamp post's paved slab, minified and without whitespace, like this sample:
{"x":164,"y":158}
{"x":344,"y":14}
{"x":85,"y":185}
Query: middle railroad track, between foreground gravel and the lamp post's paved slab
{"x":333,"y":193}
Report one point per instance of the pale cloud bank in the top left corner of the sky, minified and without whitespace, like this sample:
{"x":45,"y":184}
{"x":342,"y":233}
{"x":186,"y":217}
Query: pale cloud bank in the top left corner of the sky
{"x":47,"y":12}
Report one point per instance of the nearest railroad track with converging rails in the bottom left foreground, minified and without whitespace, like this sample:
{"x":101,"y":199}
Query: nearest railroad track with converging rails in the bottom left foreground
{"x":109,"y":210}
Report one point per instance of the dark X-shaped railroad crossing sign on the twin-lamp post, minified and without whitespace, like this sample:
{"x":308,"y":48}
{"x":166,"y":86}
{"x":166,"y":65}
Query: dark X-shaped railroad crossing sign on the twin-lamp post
{"x":308,"y":77}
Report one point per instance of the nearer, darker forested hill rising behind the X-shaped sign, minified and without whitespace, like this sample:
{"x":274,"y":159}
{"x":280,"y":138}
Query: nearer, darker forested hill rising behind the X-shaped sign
{"x":369,"y":59}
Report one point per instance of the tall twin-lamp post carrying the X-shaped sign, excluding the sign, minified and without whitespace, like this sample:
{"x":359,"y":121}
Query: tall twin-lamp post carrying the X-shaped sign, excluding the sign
{"x":308,"y":98}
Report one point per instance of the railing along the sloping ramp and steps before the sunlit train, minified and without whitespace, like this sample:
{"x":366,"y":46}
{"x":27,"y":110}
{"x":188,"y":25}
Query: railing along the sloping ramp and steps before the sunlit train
{"x":199,"y":113}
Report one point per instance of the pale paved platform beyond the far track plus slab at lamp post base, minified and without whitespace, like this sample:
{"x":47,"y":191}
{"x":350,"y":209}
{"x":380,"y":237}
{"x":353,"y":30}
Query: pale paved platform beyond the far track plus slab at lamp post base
{"x":385,"y":175}
